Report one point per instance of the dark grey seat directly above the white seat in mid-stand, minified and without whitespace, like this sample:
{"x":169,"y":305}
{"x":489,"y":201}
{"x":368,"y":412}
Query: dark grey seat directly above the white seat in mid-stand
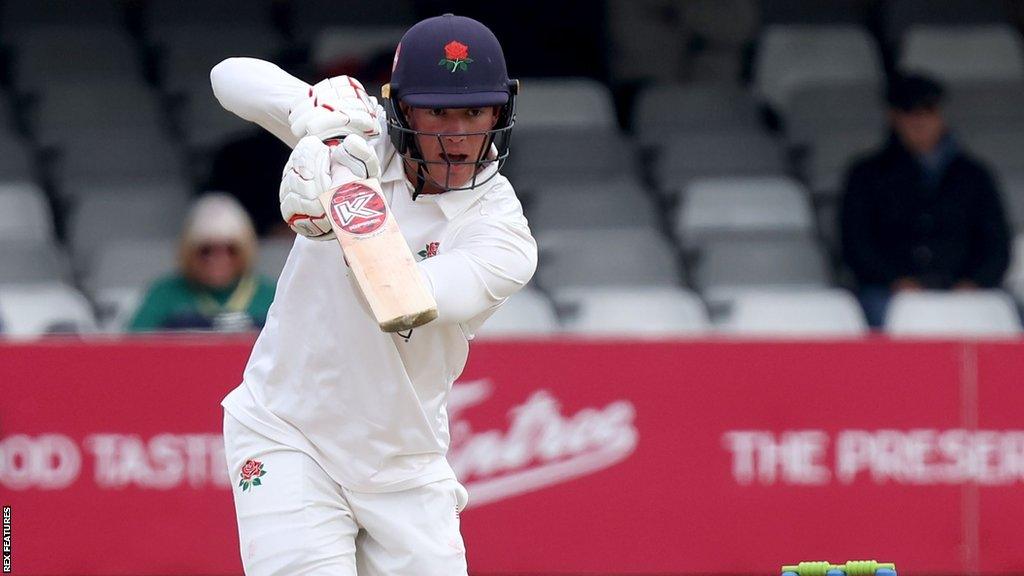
{"x":694,"y":156}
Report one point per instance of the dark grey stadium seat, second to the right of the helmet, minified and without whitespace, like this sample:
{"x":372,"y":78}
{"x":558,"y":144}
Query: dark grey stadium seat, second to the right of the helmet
{"x":665,"y":110}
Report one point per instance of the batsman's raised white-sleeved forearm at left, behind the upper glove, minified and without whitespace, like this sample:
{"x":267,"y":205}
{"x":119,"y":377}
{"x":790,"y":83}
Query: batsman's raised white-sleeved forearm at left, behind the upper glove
{"x":259,"y":92}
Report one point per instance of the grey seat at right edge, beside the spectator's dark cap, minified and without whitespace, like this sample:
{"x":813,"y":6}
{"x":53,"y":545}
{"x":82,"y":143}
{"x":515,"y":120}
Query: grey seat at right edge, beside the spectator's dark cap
{"x":974,"y":107}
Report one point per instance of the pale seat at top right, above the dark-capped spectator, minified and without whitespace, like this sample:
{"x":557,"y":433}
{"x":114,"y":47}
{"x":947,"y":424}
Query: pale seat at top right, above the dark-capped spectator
{"x":959,"y":54}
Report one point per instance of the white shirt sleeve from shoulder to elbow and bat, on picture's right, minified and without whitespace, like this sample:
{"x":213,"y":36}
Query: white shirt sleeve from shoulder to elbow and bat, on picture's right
{"x":488,"y":262}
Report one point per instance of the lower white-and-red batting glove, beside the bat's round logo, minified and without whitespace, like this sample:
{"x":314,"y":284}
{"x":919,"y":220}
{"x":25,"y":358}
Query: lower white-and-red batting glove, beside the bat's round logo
{"x":308,"y":176}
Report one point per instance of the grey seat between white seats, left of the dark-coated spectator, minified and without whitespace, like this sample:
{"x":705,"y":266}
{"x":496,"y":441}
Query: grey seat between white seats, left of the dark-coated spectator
{"x":744,"y":263}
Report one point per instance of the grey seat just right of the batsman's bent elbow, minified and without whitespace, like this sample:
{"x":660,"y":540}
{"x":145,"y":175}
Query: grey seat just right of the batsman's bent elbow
{"x":607,"y":258}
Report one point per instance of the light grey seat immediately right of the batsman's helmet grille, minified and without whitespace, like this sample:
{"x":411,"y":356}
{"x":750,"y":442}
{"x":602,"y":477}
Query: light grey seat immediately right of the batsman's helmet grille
{"x":558,"y":105}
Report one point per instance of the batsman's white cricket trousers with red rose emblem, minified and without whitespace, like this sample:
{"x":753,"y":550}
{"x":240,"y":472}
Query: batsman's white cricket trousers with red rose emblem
{"x":295,"y":521}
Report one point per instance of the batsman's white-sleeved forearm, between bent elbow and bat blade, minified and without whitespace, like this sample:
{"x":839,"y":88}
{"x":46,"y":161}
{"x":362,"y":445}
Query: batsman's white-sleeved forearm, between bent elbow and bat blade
{"x":466,"y":284}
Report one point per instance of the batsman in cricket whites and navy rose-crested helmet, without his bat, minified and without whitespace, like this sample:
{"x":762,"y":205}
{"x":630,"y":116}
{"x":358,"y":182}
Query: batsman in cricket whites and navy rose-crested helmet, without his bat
{"x":336,"y":439}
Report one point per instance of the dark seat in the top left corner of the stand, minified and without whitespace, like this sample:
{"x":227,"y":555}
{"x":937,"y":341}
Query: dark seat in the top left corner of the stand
{"x":86,"y":54}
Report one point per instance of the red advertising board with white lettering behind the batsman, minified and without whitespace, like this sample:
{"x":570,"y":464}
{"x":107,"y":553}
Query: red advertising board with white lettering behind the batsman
{"x":581,"y":458}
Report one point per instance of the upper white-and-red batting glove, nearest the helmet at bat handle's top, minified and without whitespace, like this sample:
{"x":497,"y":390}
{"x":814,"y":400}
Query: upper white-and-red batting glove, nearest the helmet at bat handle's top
{"x":336,"y":107}
